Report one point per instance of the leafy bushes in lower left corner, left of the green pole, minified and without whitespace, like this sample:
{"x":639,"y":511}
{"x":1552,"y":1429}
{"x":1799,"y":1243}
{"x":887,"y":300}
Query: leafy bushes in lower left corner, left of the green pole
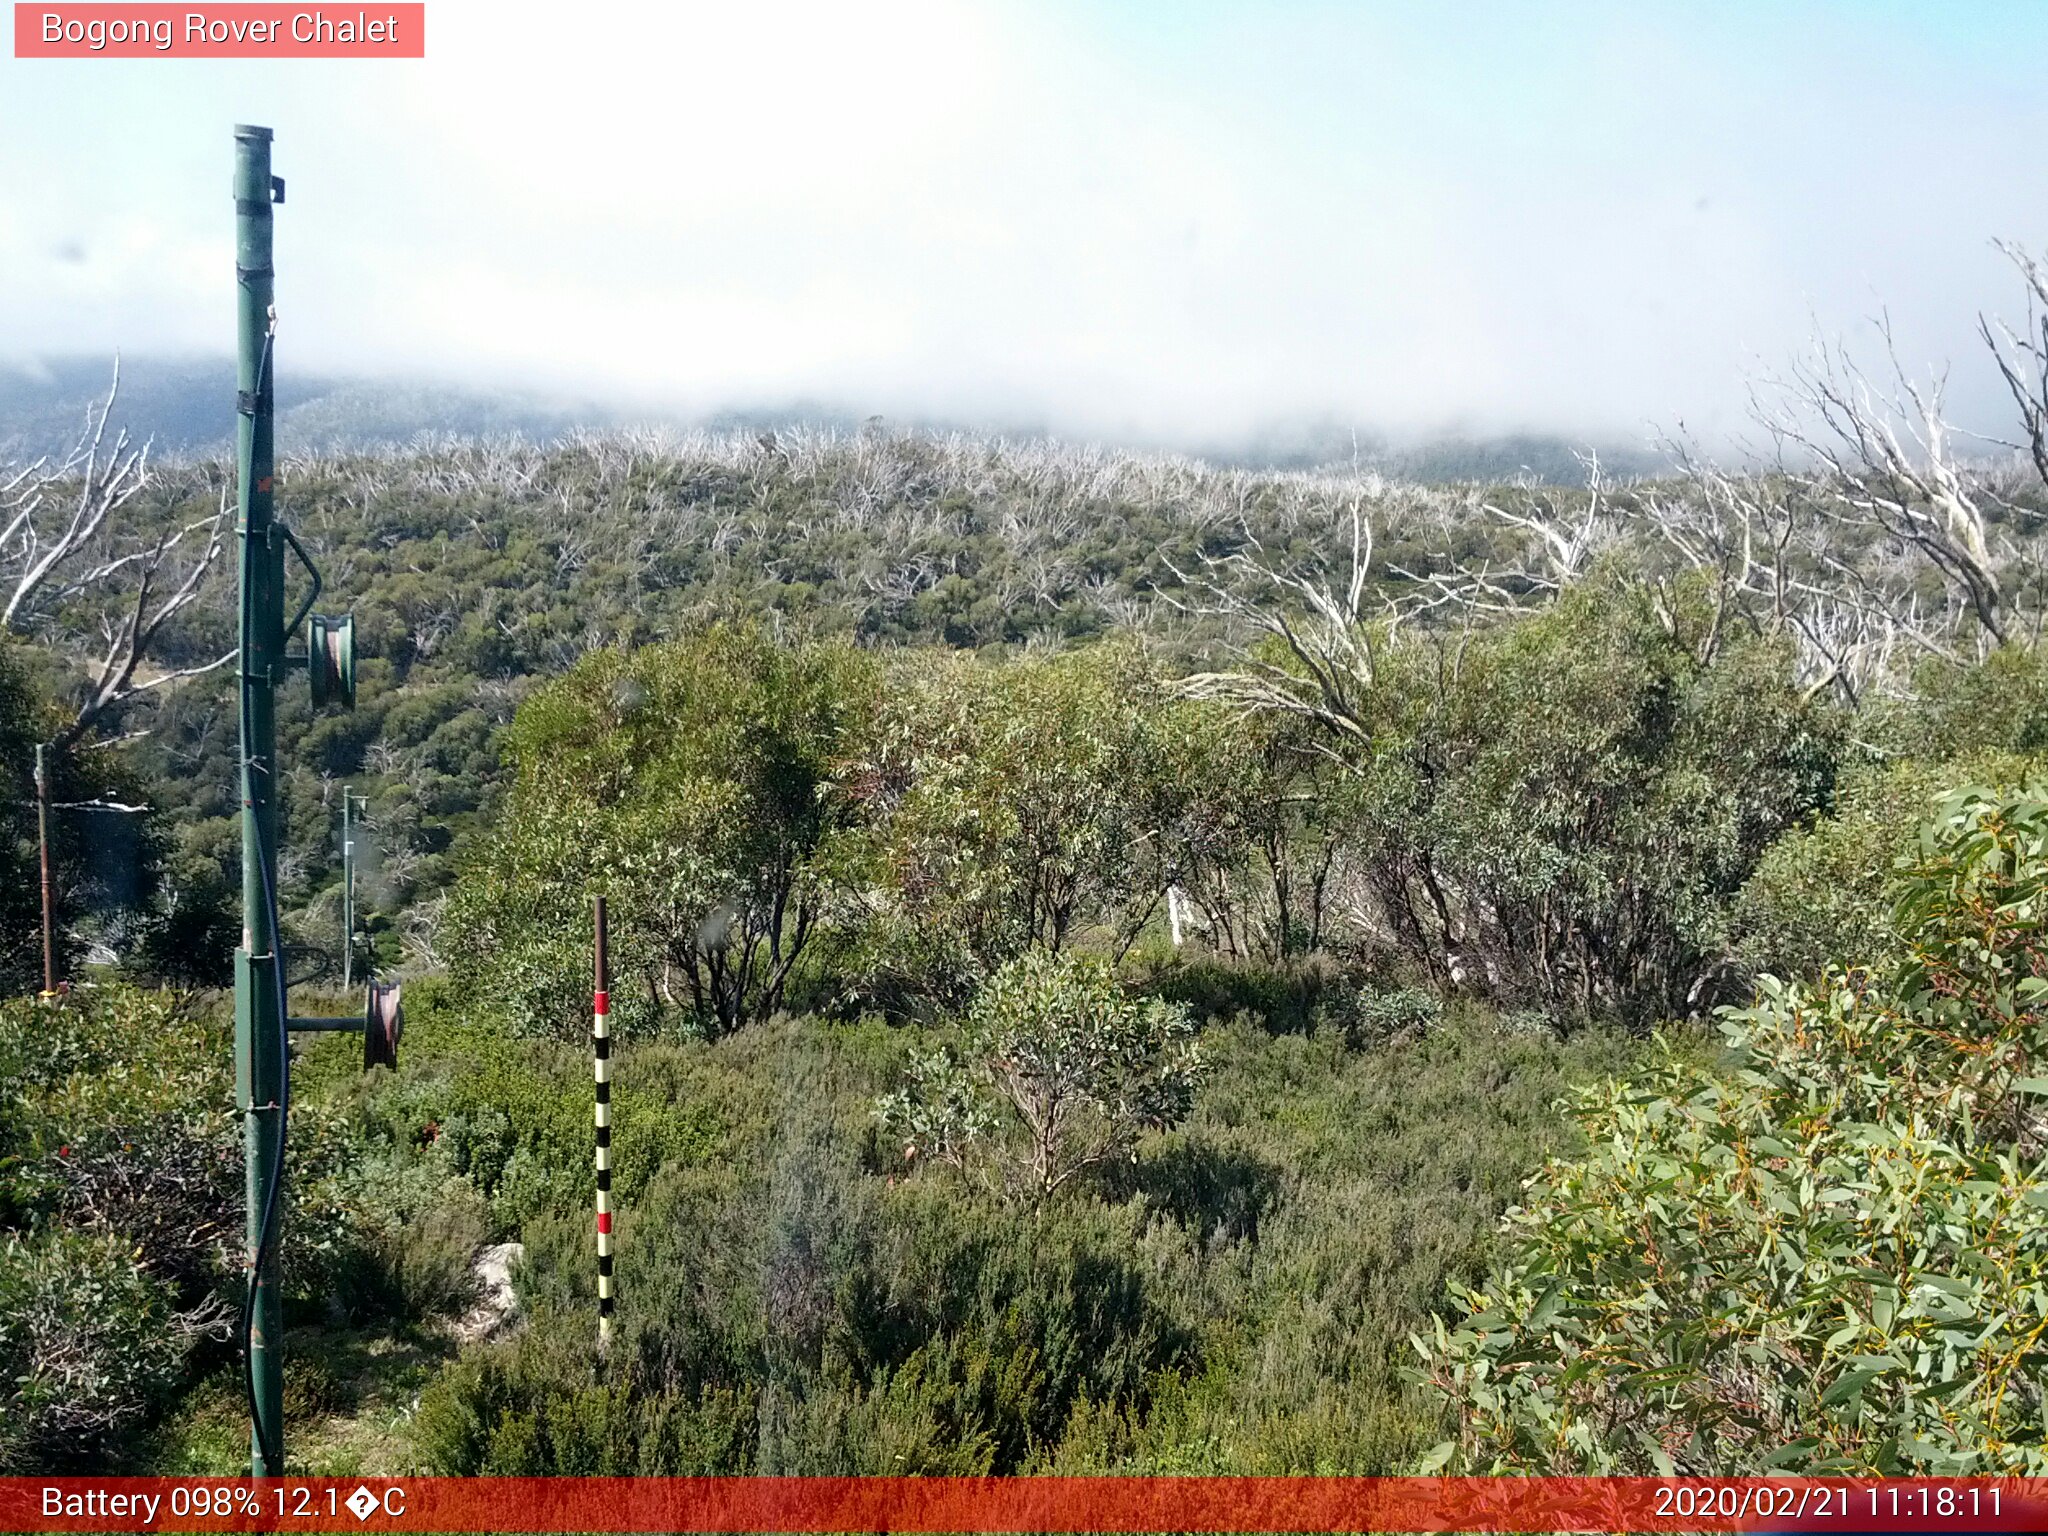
{"x":120,"y":1181}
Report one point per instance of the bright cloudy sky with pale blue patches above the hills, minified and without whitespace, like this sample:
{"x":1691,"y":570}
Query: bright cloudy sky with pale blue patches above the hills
{"x":1168,"y":222}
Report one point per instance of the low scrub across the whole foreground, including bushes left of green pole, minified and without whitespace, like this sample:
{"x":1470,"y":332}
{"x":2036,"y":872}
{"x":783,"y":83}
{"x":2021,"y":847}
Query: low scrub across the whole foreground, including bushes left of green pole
{"x":798,"y":1299}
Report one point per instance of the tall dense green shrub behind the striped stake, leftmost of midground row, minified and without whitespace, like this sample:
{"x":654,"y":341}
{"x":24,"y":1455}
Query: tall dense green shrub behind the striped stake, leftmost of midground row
{"x":689,"y":783}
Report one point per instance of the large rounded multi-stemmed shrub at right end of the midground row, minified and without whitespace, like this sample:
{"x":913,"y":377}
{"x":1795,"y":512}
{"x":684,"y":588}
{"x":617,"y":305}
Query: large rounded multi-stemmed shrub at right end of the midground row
{"x":1560,"y":810}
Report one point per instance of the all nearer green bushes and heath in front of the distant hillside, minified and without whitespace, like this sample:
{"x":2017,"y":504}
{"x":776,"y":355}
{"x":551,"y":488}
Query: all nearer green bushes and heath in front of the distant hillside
{"x":1588,"y":812}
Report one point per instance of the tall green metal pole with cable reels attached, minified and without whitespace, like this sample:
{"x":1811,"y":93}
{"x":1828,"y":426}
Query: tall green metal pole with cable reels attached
{"x":259,"y":976}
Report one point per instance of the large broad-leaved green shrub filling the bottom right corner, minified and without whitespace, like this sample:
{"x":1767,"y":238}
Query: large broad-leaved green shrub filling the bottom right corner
{"x":1828,"y":1254}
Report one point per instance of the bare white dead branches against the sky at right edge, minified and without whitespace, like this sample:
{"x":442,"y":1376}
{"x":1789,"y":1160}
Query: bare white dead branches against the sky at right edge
{"x":1879,"y":536}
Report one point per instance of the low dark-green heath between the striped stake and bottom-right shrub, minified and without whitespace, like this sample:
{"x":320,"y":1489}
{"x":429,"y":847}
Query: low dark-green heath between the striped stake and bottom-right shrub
{"x":796,"y":1299}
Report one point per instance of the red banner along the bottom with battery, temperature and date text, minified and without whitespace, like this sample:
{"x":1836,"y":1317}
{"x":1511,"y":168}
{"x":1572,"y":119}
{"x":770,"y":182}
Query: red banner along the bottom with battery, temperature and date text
{"x":1025,"y":1504}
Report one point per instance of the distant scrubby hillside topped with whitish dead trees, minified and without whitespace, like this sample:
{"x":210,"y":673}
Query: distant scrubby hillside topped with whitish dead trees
{"x":474,"y":568}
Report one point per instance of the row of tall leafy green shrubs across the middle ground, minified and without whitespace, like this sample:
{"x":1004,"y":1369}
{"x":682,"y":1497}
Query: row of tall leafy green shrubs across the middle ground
{"x":1555,"y":812}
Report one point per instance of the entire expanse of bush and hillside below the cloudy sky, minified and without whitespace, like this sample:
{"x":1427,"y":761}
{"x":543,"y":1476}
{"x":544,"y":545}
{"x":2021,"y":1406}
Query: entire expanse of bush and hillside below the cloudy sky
{"x":1099,"y":943}
